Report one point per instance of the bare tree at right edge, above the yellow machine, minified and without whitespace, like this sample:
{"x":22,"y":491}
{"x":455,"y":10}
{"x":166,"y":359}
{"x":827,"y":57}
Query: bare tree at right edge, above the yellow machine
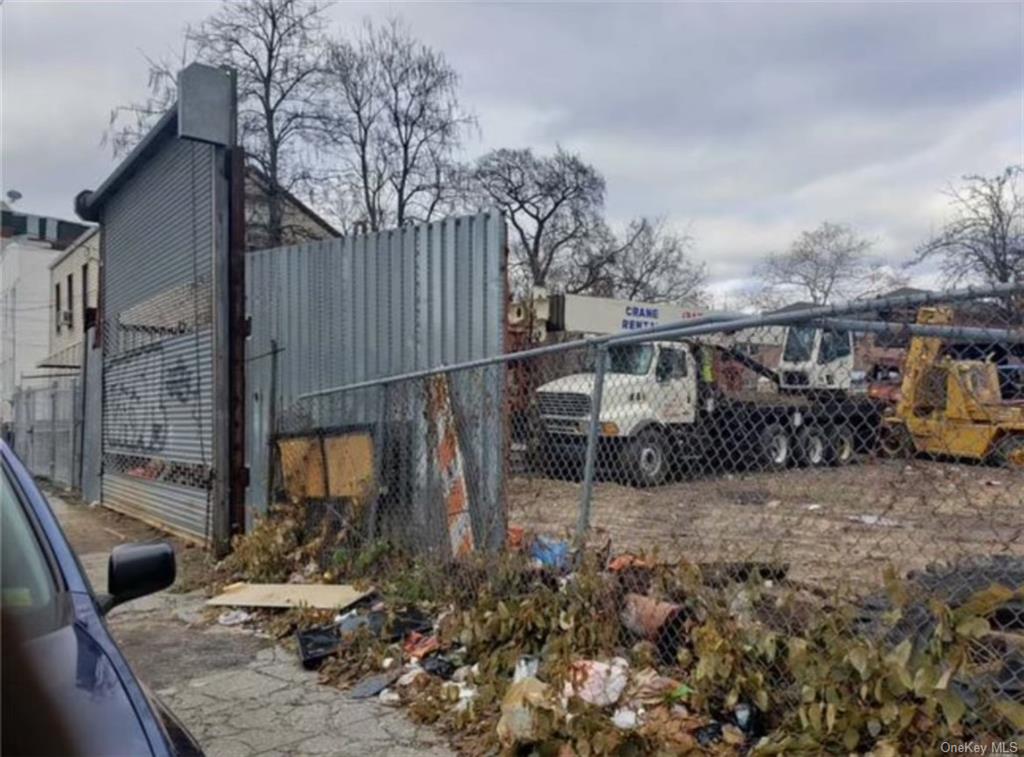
{"x":985,"y":239}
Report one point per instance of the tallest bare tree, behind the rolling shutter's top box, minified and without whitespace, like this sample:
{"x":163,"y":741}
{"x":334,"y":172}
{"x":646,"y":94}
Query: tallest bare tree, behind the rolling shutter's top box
{"x":275,"y":47}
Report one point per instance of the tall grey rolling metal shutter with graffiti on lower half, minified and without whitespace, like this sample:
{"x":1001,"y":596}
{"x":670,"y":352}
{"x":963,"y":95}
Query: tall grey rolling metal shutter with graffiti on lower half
{"x":159,"y":239}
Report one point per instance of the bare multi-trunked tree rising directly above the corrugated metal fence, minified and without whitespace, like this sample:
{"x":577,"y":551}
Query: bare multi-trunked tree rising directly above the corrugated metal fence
{"x":393,"y":117}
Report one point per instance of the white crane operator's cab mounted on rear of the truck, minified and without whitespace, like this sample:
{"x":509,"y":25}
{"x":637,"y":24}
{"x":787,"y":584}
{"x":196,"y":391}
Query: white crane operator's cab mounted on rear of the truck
{"x":817,"y":359}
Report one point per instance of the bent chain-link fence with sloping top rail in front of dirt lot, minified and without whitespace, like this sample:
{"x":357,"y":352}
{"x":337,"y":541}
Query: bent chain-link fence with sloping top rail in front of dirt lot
{"x":864,"y":464}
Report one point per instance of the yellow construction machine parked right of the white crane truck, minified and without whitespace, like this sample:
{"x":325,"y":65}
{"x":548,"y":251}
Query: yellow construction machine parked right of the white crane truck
{"x":955,"y":407}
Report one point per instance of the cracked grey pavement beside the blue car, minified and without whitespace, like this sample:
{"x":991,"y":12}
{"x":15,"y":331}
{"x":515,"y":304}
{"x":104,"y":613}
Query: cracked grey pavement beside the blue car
{"x":239,"y":693}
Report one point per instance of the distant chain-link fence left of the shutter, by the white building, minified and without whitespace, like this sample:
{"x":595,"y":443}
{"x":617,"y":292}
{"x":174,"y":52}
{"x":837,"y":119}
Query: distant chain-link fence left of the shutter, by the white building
{"x":48,"y":431}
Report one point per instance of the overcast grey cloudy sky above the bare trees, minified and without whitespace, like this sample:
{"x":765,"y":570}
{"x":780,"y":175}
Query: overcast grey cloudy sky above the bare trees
{"x":744,"y":123}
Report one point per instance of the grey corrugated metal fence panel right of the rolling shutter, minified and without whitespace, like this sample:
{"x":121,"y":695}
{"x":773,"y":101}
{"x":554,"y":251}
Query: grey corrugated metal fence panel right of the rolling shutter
{"x":345,"y":311}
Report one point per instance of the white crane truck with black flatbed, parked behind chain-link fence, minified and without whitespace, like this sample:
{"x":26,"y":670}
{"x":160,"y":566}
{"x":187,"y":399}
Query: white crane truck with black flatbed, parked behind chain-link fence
{"x":664,"y":410}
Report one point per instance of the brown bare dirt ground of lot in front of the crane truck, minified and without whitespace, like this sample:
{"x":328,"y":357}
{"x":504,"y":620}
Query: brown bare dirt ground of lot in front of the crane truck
{"x":831,"y":526}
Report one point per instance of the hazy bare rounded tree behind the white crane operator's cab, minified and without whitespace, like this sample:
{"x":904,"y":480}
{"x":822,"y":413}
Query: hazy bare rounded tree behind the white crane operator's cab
{"x":827,"y":264}
